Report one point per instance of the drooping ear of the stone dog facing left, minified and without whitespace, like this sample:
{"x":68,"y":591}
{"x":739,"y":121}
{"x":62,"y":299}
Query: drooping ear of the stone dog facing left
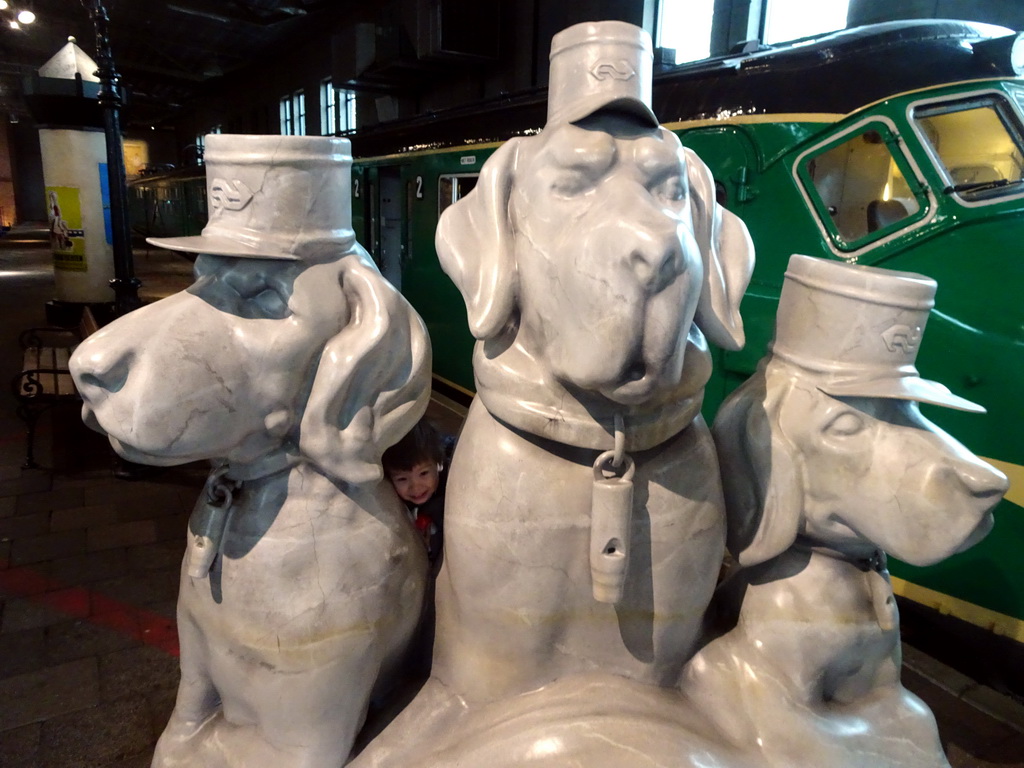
{"x":373,"y":381}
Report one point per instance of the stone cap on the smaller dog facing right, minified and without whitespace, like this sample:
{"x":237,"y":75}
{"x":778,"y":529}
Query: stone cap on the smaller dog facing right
{"x":858,"y":329}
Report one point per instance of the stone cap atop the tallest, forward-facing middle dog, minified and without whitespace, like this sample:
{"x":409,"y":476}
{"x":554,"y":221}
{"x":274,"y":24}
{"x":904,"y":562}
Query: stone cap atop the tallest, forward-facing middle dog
{"x":598,"y":66}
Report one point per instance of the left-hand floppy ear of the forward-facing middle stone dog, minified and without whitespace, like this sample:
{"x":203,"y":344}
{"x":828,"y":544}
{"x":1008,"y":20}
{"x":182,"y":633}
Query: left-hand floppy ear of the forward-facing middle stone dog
{"x":476,"y":245}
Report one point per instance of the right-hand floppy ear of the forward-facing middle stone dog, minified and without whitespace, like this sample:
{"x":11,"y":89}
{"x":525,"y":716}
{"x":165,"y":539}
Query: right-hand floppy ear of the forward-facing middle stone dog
{"x":728,"y":253}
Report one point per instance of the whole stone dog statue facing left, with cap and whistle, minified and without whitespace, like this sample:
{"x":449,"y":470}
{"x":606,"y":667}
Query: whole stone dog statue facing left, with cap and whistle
{"x":293,"y":365}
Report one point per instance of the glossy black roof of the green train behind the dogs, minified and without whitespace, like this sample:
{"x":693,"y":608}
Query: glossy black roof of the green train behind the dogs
{"x":835,"y":74}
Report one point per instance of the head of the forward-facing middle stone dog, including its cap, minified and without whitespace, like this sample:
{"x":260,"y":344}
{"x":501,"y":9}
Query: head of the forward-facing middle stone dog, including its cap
{"x":599,"y":241}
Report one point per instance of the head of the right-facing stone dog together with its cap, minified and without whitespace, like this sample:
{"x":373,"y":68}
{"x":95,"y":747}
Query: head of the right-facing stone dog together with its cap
{"x":840,"y":457}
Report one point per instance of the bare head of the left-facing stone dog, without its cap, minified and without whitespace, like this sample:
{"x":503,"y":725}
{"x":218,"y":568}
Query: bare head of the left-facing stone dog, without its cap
{"x":326,"y":360}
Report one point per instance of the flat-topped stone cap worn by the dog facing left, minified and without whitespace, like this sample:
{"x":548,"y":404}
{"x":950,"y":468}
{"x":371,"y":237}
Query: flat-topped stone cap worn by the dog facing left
{"x":274,"y":198}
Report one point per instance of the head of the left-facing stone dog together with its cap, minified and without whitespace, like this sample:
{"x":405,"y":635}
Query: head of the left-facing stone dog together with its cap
{"x":306,"y":349}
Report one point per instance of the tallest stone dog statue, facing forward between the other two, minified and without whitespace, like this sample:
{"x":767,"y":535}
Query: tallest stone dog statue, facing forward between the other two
{"x":585,"y":524}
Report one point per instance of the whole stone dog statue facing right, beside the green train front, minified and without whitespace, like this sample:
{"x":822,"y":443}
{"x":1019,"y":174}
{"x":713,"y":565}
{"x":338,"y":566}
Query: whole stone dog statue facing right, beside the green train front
{"x":828,"y":464}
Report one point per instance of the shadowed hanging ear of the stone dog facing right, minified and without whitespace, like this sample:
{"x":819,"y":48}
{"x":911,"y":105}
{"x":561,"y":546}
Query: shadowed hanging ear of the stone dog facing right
{"x":761,"y":475}
